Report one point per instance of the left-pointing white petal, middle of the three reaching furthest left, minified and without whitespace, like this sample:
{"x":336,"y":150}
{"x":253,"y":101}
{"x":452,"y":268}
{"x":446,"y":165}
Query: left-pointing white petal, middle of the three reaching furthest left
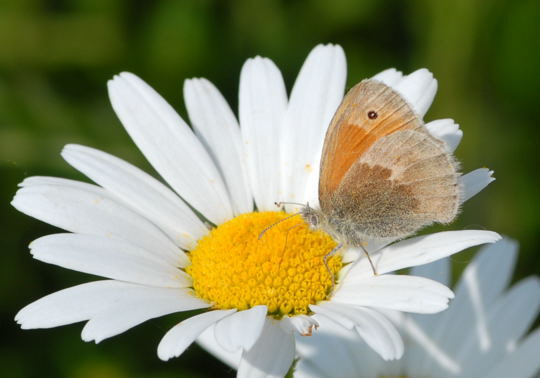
{"x":108,"y":258}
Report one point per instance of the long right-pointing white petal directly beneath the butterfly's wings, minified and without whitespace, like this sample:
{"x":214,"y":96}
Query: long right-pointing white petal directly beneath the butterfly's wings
{"x":421,"y":250}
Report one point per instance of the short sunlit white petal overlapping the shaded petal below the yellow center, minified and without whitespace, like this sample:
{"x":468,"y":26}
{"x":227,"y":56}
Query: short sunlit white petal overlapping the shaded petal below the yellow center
{"x":240,"y":330}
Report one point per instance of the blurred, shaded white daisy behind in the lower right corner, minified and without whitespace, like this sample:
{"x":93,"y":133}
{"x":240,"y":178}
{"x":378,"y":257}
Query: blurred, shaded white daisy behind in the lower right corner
{"x":482,"y":334}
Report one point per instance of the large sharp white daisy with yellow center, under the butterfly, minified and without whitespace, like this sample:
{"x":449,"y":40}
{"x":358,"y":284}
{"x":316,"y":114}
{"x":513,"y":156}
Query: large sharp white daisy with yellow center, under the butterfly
{"x":197,"y":242}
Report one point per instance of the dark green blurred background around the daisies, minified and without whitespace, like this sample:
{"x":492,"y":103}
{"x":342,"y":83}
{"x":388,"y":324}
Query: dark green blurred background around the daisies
{"x":56,"y":56}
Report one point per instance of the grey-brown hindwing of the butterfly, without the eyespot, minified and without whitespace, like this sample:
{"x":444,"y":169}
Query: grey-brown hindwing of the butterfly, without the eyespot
{"x":405,"y":181}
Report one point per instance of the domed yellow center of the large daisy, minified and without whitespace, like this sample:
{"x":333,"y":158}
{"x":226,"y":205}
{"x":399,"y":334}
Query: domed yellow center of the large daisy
{"x":239,"y":266}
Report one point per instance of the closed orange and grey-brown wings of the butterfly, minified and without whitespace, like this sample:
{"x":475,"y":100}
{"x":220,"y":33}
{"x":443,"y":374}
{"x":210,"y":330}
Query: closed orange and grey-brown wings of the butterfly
{"x":400,"y":177}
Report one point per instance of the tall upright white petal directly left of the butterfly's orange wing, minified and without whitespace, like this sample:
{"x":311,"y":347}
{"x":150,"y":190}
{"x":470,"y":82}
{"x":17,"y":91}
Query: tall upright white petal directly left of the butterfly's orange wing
{"x":316,"y":94}
